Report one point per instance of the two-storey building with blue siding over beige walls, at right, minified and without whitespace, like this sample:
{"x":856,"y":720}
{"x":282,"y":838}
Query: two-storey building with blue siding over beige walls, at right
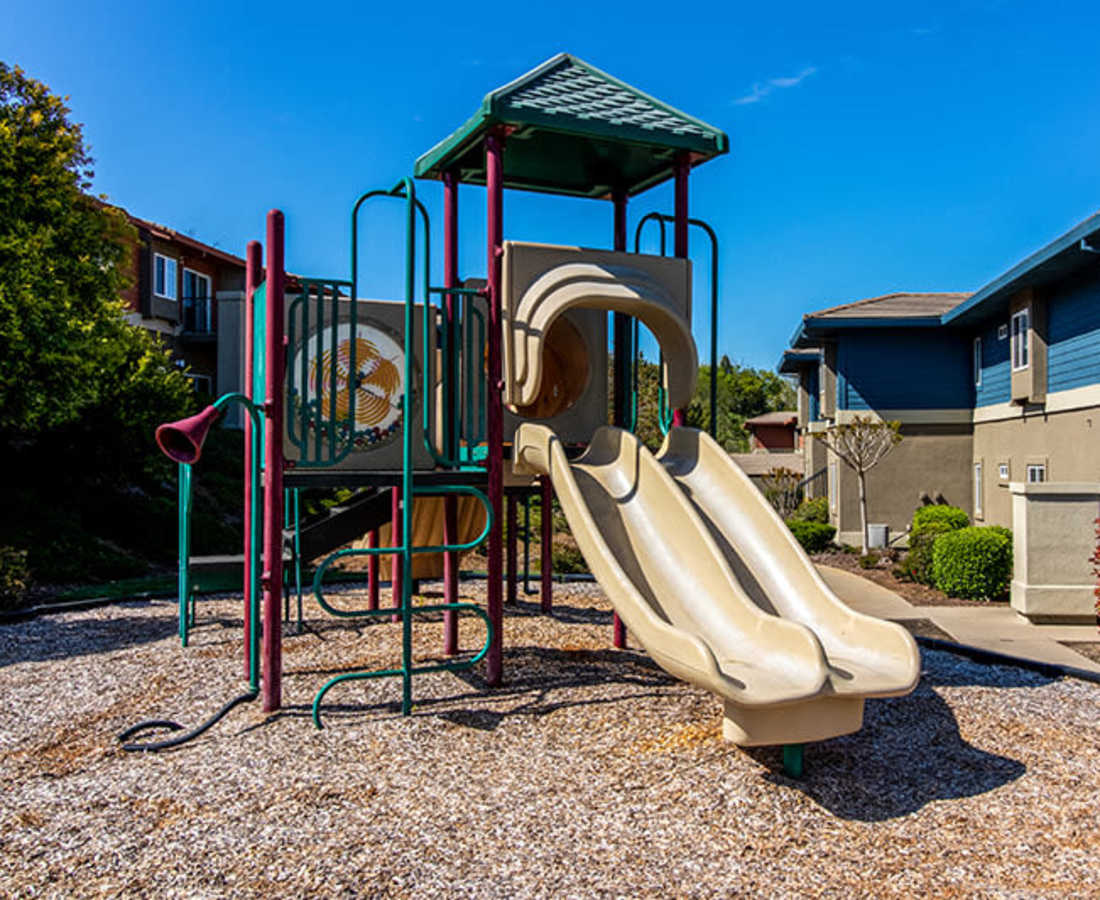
{"x":997,"y":387}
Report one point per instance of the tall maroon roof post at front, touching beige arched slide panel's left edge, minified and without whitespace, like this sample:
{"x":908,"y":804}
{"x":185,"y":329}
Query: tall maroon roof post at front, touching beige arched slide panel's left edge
{"x":494,"y":184}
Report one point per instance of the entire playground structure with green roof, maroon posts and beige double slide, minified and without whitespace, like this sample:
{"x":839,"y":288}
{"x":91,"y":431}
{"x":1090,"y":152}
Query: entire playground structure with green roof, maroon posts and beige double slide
{"x":470,"y":388}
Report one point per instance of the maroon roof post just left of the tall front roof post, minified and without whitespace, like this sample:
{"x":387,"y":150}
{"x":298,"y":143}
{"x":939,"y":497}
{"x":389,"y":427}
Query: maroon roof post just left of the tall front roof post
{"x":450,"y":413}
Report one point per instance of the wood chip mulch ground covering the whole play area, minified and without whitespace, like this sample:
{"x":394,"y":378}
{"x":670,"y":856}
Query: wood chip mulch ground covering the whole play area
{"x":589,"y":774}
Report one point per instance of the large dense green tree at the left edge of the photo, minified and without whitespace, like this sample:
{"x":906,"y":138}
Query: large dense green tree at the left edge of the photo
{"x":81,"y":390}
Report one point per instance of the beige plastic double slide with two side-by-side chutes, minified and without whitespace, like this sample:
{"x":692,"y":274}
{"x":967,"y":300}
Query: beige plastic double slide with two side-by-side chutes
{"x":713,"y":585}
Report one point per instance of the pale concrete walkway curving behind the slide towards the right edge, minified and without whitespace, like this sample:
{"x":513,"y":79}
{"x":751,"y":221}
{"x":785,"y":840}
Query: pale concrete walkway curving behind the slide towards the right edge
{"x":997,"y":629}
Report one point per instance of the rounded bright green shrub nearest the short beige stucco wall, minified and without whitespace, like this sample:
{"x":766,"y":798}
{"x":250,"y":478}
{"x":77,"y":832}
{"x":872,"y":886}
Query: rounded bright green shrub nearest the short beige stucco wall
{"x":974,"y":563}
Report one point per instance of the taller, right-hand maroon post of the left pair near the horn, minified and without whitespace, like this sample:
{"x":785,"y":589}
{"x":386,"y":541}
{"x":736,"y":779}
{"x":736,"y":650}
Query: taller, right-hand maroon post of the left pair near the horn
{"x":273,"y":467}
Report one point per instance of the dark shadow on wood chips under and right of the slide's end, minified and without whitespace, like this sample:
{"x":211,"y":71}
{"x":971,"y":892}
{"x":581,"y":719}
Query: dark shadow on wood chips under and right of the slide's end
{"x":909,"y":753}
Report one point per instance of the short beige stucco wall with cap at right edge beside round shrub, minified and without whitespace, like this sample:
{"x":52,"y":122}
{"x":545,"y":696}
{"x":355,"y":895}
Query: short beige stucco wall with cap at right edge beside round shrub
{"x":1053,"y":531}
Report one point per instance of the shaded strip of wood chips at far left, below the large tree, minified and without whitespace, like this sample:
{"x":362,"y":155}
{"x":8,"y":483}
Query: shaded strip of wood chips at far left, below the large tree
{"x":52,"y":638}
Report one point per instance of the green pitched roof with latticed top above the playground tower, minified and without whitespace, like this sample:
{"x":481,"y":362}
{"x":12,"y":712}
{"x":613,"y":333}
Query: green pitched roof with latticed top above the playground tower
{"x":575,"y":130}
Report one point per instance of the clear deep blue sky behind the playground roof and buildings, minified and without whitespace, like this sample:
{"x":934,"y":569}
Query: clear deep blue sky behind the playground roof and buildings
{"x":876,"y":147}
